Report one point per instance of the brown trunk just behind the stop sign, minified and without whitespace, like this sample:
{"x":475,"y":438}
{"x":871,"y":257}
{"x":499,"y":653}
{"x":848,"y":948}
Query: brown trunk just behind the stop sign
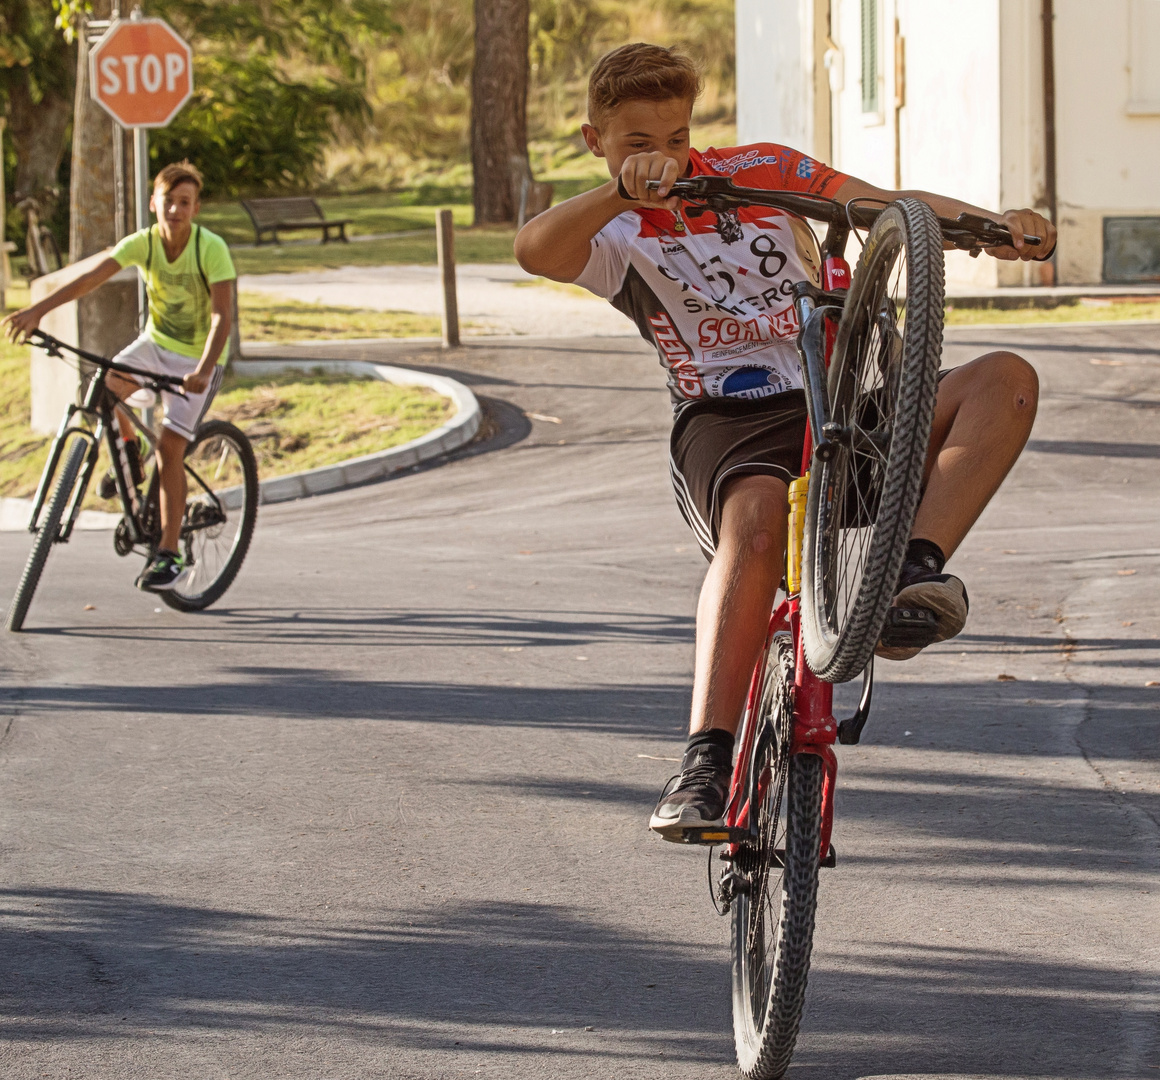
{"x":92,"y":205}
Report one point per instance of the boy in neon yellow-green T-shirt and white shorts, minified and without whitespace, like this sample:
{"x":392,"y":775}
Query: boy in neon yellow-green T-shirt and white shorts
{"x":187,"y":272}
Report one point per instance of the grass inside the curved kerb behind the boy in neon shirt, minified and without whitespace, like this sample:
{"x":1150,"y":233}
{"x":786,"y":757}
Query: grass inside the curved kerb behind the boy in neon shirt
{"x":296,"y":421}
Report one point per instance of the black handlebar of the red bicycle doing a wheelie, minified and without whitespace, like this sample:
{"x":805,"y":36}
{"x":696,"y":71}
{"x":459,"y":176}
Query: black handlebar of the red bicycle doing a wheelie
{"x":968,"y":231}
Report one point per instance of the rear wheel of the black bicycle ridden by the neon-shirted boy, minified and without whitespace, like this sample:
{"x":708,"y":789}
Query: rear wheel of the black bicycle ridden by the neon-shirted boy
{"x":221,"y":511}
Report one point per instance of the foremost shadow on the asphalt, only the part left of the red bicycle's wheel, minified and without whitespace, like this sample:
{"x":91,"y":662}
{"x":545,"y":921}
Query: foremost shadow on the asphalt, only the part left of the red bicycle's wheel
{"x":75,"y":963}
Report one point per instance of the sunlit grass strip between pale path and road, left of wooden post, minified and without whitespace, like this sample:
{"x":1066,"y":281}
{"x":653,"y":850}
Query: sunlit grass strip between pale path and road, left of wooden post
{"x":271,"y":318}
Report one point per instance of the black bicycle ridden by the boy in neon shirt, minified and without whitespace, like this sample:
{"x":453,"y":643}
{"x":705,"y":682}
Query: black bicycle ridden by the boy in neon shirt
{"x":221,"y":509}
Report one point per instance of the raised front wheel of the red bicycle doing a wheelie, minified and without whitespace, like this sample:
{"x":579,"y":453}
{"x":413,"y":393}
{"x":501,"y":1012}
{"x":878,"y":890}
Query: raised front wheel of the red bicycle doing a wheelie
{"x":882,"y":387}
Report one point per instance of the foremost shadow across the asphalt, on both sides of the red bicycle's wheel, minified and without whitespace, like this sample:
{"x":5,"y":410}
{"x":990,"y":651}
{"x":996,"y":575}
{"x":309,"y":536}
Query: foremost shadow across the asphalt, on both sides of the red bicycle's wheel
{"x":496,"y":978}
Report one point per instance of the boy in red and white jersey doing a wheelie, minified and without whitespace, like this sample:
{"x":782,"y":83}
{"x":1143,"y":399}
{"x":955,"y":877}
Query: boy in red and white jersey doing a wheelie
{"x":715,"y":301}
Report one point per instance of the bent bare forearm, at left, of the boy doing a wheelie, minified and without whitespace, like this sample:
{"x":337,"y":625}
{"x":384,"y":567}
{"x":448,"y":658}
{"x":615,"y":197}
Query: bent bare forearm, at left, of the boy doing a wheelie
{"x":557,"y":243}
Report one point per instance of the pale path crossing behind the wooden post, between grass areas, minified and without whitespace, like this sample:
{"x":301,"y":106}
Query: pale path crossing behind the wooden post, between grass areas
{"x":495,"y":299}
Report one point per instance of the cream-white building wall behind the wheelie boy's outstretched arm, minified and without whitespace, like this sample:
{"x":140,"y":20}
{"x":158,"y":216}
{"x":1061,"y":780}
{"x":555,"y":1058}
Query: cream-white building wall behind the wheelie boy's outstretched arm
{"x":971,"y":124}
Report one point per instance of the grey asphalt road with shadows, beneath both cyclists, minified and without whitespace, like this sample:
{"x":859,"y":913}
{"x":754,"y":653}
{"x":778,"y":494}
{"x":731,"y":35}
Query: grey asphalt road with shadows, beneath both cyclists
{"x":382,"y":813}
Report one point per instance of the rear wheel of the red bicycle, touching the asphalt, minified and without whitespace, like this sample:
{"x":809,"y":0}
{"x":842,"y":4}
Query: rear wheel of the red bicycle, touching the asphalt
{"x":778,"y":885}
